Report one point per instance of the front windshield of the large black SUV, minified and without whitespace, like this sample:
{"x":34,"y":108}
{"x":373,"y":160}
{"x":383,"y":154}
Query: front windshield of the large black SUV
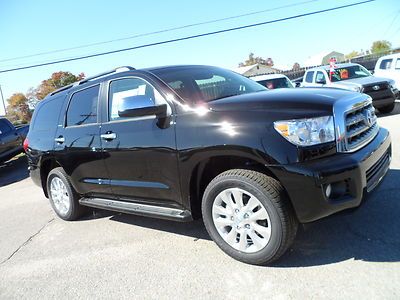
{"x":203,"y":84}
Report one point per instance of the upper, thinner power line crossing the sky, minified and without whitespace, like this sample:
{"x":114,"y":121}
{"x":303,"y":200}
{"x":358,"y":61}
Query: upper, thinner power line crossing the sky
{"x":158,"y":31}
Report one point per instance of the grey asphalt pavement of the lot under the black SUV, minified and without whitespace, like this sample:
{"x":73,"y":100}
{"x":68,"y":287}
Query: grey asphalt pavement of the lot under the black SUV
{"x":354,"y":254}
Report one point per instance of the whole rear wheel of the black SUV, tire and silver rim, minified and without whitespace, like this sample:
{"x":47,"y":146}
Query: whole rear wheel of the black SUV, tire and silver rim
{"x":62,"y":195}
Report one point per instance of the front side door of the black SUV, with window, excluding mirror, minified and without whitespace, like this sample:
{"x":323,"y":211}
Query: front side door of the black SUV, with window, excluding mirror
{"x":140,"y":156}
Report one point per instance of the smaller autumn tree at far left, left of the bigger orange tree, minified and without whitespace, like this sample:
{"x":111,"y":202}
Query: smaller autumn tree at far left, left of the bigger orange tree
{"x":18,"y":109}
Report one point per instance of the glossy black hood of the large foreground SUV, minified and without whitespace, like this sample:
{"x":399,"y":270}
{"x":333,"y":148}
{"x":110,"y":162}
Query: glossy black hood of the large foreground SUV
{"x":306,"y":101}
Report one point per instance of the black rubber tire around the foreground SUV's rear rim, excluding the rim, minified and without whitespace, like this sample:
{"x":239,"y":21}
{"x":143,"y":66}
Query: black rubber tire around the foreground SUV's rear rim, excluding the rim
{"x":75,"y":210}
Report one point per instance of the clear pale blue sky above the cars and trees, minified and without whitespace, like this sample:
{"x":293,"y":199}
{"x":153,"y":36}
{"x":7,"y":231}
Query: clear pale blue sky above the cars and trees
{"x":31,"y":27}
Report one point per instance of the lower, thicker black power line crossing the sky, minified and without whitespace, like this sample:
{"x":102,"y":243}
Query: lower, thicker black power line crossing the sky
{"x":187,"y":37}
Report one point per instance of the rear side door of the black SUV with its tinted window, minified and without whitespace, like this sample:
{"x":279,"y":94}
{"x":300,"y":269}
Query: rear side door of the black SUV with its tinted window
{"x":78,"y":145}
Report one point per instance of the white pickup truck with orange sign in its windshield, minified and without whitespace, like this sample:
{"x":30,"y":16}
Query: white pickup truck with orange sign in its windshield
{"x":356,"y":78}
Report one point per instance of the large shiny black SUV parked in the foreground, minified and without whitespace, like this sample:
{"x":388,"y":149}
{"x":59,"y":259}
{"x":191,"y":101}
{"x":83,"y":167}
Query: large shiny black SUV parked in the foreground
{"x":183,"y":142}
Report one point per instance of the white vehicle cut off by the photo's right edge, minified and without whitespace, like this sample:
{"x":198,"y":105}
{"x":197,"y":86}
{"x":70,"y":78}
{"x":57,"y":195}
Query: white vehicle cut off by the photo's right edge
{"x":388,"y":66}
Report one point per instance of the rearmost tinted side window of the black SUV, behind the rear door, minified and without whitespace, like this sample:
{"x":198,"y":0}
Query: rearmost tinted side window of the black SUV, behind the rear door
{"x":46,"y":115}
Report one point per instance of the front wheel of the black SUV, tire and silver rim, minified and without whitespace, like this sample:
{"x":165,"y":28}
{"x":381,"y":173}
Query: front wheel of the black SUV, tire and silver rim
{"x":248,"y":216}
